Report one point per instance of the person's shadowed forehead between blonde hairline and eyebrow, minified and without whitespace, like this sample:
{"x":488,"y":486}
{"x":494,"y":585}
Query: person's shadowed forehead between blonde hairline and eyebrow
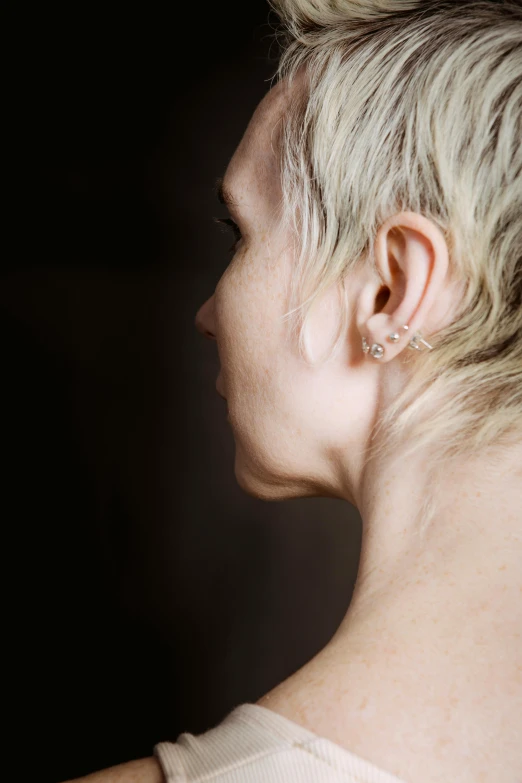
{"x":254,"y":168}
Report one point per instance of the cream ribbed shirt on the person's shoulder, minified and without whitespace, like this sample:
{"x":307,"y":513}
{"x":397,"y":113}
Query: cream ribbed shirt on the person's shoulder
{"x":255,"y":745}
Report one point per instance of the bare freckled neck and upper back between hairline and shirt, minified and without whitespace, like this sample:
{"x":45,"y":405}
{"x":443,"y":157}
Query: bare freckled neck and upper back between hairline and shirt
{"x":423,"y":676}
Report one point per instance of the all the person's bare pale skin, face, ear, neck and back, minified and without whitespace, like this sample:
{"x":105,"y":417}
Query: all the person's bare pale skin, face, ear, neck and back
{"x":424,"y":675}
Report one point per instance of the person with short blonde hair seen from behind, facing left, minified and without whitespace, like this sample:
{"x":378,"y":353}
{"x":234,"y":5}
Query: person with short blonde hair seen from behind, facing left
{"x":369,"y":330}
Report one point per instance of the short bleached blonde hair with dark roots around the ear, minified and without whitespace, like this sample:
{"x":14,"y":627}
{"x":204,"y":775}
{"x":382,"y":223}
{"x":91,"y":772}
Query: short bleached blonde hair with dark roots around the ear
{"x":415,"y":106}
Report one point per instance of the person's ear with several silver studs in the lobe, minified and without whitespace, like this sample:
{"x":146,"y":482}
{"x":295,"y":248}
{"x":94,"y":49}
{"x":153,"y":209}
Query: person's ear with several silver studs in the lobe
{"x":411,"y":257}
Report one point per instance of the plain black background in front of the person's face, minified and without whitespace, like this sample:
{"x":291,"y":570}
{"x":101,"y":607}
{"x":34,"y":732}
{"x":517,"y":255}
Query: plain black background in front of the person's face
{"x":149,"y":595}
